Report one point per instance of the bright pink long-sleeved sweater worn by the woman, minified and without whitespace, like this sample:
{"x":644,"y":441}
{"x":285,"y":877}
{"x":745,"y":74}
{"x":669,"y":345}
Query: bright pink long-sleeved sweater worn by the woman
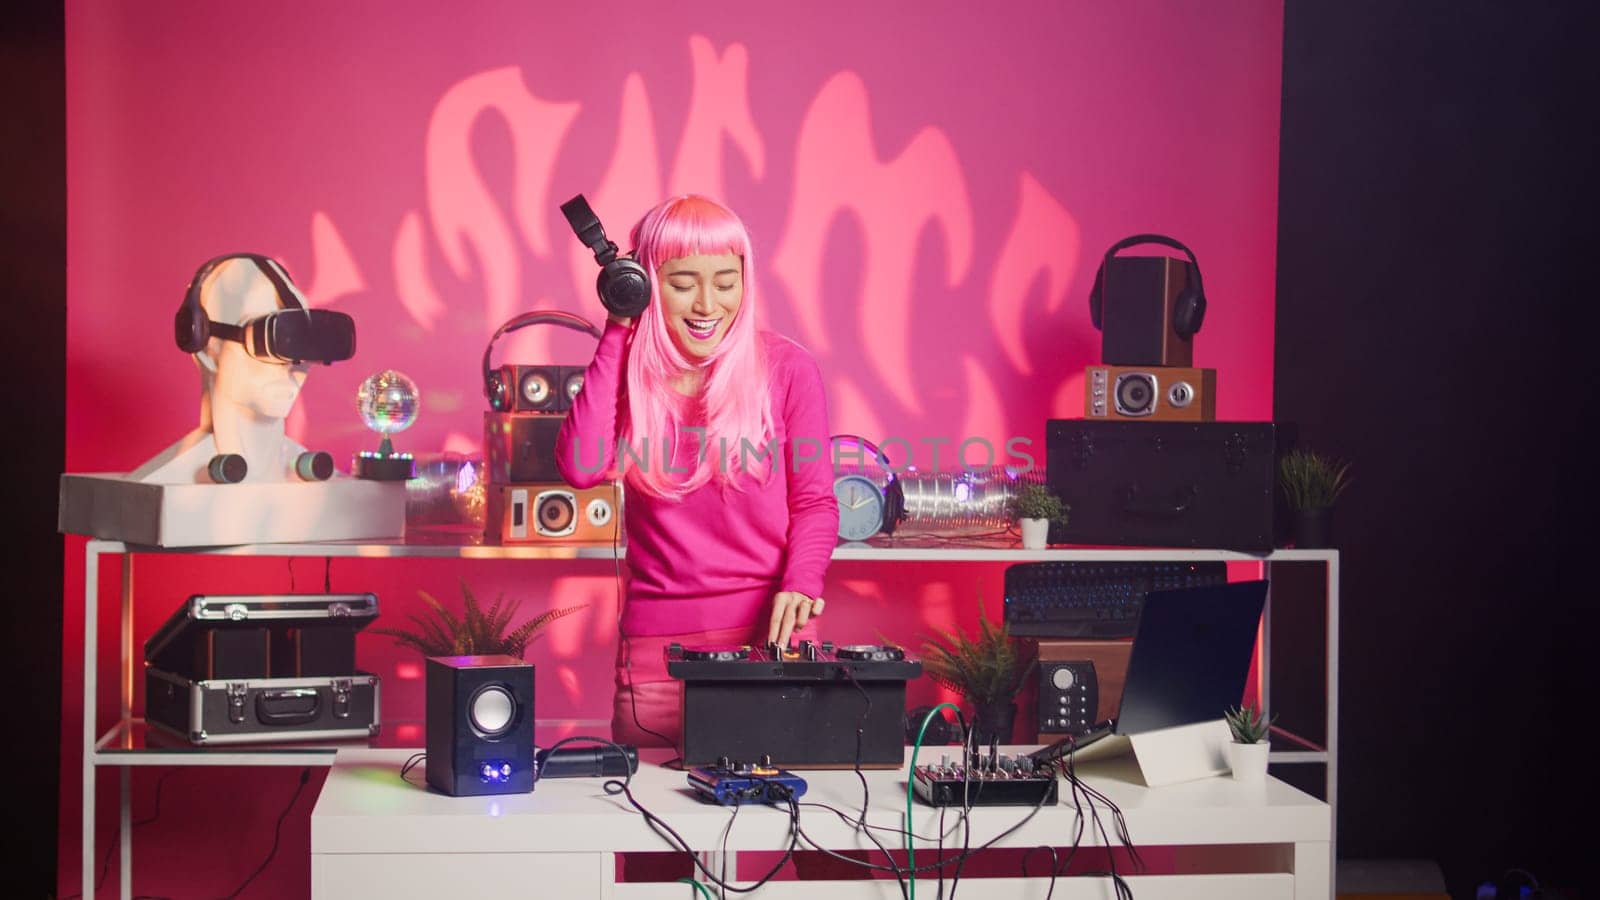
{"x":716,"y":558}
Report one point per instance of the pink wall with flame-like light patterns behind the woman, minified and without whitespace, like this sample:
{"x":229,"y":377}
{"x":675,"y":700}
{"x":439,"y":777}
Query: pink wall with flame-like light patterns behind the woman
{"x":929,"y":188}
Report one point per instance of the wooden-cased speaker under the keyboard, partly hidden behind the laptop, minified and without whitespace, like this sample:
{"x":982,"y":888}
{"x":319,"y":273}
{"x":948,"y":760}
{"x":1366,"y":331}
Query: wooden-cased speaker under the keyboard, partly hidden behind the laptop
{"x":1079,"y":685}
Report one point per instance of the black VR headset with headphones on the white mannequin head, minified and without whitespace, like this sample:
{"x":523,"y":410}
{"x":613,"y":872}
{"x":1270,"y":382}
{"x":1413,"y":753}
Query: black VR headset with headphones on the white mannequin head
{"x":292,"y":334}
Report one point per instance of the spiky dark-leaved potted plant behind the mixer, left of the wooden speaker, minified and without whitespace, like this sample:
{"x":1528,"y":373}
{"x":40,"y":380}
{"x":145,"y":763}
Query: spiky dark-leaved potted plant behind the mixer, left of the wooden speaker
{"x":986,"y":670}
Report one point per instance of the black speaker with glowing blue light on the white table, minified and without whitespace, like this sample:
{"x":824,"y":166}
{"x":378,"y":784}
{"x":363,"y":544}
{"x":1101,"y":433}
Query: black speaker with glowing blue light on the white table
{"x":479,"y":726}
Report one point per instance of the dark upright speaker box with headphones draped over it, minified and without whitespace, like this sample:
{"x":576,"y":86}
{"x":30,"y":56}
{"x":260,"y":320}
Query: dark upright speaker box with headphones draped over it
{"x":1137,"y":311}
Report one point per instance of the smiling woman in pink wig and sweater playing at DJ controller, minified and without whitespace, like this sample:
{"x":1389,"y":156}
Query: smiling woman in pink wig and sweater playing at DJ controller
{"x":719,"y":433}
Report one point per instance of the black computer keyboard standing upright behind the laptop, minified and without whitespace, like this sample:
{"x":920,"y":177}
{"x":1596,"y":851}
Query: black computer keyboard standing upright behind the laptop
{"x":1094,"y":600}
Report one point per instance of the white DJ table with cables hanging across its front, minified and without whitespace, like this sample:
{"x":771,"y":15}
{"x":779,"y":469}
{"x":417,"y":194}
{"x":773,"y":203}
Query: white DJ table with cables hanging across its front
{"x":375,"y":835}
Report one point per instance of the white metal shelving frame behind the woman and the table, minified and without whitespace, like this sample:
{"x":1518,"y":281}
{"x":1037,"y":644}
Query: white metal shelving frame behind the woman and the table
{"x":130,"y":742}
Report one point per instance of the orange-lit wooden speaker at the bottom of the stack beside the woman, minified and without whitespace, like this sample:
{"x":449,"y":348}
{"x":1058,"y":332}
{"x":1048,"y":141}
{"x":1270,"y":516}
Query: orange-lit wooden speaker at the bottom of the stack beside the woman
{"x":553,"y":513}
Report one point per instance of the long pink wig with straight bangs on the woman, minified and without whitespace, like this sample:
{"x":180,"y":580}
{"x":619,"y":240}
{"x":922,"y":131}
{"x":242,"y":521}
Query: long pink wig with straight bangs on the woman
{"x":734,"y":401}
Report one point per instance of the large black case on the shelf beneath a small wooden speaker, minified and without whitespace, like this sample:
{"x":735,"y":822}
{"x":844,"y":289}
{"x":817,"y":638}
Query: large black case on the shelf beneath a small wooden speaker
{"x":1164,"y":483}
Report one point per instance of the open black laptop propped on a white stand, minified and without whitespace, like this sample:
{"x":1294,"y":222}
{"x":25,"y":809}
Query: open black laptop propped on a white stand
{"x":1190,"y":662}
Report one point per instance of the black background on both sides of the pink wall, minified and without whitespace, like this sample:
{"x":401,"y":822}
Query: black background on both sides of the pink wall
{"x":1430,"y":329}
